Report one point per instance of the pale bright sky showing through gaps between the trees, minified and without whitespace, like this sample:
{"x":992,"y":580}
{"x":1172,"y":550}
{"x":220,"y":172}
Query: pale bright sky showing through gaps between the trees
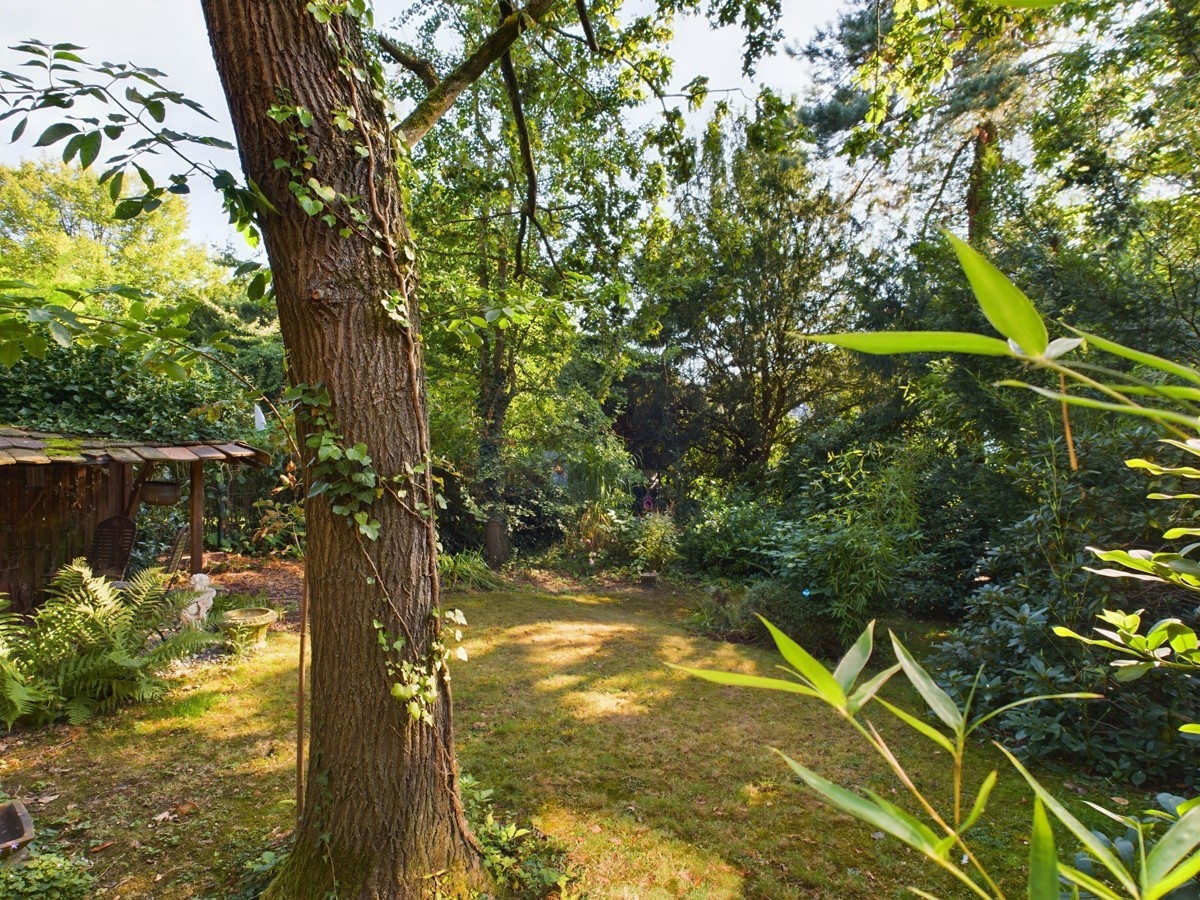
{"x":170,"y":35}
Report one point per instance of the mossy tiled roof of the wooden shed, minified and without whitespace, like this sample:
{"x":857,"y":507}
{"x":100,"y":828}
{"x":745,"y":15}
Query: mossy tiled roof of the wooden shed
{"x":35,"y":448}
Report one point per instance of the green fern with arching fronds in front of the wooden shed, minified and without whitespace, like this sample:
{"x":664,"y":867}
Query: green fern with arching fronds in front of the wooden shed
{"x":91,"y":647}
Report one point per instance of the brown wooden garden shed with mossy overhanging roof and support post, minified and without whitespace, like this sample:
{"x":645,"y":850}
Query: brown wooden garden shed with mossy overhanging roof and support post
{"x":57,"y":490}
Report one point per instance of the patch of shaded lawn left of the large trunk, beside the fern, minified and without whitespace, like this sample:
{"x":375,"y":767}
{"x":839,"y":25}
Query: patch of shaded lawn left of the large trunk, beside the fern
{"x":170,"y":799}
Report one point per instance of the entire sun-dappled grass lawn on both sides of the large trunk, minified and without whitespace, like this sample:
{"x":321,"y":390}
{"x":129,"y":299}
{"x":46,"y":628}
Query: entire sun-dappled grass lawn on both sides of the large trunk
{"x":658,"y":785}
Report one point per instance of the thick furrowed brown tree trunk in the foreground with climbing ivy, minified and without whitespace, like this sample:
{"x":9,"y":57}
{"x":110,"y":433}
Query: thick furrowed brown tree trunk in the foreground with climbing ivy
{"x":382,"y":811}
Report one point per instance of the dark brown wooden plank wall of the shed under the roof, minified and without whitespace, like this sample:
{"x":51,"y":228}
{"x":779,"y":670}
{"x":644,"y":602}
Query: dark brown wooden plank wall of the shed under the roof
{"x":47,"y":518}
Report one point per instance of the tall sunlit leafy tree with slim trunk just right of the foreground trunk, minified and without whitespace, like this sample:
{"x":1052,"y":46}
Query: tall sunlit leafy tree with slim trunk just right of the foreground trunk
{"x":529,"y":199}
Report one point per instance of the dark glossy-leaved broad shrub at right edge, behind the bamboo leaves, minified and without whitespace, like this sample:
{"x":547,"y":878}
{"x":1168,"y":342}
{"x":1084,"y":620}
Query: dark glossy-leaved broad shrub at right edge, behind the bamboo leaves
{"x":1036,"y":581}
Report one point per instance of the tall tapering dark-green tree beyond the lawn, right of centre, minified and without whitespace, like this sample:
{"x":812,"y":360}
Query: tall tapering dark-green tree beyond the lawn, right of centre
{"x":755,"y":262}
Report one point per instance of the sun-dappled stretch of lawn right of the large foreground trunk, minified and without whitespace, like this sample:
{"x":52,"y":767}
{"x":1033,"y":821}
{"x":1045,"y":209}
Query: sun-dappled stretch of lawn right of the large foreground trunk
{"x":663,"y":783}
